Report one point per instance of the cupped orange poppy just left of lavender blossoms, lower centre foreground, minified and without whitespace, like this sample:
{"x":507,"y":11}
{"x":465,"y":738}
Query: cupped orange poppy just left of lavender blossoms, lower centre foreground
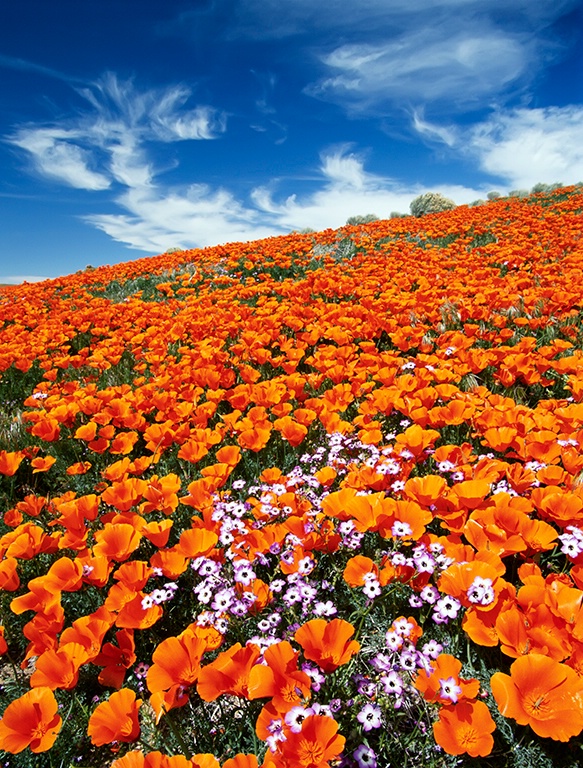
{"x":327,"y":643}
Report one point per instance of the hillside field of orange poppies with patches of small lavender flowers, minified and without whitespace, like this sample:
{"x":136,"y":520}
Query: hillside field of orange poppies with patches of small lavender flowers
{"x":309,"y":501}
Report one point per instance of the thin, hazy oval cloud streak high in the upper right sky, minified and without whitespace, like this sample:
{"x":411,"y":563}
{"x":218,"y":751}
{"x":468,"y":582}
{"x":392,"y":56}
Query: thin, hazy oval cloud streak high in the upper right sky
{"x":457,"y":67}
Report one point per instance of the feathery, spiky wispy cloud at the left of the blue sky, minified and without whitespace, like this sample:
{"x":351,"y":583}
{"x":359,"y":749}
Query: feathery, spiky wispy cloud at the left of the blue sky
{"x":105,"y":145}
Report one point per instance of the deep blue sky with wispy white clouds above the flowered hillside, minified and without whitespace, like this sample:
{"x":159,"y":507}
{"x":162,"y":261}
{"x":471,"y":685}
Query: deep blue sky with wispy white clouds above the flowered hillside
{"x":127,"y":128}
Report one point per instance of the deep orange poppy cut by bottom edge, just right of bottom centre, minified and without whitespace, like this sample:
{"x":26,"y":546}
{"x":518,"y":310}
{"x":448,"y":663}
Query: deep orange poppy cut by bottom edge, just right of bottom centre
{"x":315,"y":745}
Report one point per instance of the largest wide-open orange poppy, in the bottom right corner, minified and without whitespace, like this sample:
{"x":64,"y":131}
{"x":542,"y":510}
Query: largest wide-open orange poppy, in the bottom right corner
{"x":542,"y":693}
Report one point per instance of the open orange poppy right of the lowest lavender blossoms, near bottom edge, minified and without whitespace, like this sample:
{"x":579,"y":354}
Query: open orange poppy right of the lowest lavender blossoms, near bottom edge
{"x":465,"y":728}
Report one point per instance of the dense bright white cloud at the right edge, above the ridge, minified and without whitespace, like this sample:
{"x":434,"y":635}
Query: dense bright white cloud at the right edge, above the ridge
{"x":527,"y":146}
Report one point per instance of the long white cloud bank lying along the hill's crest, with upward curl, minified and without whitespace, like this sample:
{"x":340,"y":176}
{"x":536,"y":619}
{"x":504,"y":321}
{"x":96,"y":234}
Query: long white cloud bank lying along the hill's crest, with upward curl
{"x":155,"y":218}
